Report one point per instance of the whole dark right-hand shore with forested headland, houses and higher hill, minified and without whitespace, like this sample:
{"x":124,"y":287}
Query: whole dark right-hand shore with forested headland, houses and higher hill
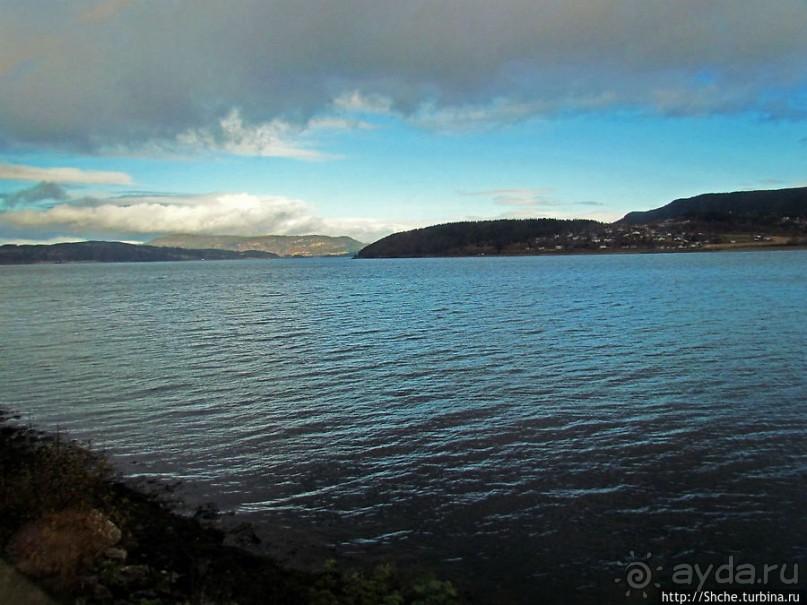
{"x":755,"y":219}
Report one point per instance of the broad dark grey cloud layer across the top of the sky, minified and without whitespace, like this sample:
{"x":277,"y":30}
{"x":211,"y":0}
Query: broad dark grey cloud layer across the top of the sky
{"x":124,"y":72}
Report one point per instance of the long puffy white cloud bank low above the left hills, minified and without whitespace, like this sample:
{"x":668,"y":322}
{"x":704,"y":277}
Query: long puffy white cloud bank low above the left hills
{"x":142,"y":217}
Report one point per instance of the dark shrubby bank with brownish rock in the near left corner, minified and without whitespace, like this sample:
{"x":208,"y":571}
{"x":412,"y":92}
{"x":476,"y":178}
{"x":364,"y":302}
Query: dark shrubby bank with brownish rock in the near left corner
{"x":87,"y":537}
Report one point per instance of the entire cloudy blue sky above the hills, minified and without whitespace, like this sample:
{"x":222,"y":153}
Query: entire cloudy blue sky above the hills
{"x":130,"y":119}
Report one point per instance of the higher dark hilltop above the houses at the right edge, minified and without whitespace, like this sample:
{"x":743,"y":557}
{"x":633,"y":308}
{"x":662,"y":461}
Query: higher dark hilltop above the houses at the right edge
{"x":741,"y":208}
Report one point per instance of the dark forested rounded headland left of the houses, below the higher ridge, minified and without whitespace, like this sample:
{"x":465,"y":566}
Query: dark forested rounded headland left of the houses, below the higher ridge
{"x":473,"y":238}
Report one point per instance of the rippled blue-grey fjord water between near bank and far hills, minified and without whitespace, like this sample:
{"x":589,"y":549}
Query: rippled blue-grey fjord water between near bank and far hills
{"x":516,"y":424}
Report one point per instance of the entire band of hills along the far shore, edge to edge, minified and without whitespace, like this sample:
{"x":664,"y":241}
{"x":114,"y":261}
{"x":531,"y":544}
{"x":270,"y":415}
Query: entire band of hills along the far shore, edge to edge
{"x":711,"y":221}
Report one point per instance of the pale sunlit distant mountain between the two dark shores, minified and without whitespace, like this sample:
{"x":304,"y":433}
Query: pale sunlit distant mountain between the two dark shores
{"x":282,"y":245}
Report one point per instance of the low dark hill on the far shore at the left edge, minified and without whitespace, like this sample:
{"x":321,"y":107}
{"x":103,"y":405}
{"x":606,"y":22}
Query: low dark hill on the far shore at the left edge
{"x":113,"y":252}
